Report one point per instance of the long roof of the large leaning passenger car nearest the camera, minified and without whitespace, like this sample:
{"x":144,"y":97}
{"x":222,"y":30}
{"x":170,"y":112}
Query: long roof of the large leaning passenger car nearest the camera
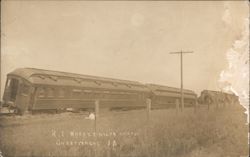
{"x":49,"y":77}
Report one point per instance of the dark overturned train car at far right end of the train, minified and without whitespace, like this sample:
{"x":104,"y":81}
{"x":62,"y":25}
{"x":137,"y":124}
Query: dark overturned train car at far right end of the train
{"x":209,"y":97}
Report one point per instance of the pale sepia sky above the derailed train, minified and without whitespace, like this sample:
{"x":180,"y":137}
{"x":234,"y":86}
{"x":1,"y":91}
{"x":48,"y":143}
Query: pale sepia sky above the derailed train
{"x":124,"y":40}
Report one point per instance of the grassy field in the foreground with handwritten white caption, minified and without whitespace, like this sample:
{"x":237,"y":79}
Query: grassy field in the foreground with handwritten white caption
{"x":213,"y":133}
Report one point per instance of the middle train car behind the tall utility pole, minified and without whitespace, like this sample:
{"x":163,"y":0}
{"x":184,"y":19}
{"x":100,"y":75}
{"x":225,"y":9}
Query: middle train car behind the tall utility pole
{"x":165,"y":97}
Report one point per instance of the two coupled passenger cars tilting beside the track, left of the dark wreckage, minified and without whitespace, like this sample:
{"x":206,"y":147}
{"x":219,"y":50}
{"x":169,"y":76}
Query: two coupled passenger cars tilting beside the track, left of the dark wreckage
{"x":31,"y":90}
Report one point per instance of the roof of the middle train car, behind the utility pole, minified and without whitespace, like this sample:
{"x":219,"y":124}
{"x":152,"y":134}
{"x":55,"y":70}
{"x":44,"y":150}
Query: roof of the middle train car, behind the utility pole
{"x":161,"y":88}
